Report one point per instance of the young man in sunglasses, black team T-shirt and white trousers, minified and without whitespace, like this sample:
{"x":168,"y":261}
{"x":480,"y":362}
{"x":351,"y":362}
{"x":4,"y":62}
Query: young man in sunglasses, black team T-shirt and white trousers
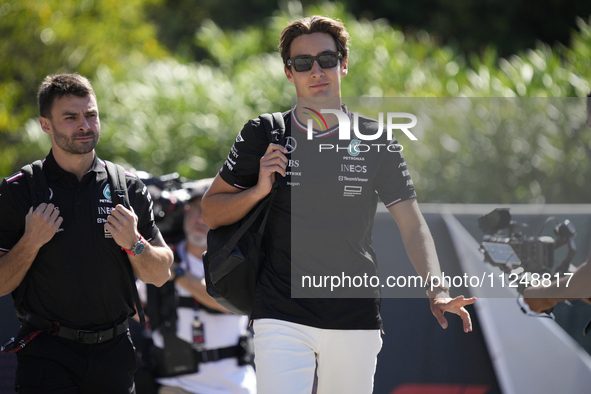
{"x":312,"y":221}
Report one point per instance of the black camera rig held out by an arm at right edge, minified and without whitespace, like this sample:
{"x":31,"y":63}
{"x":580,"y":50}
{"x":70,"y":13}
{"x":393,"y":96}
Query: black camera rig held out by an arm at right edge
{"x":516,"y":253}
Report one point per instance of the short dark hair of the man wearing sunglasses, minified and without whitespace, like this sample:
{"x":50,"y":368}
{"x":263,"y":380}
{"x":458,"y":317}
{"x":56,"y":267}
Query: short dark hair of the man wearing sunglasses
{"x":314,"y":24}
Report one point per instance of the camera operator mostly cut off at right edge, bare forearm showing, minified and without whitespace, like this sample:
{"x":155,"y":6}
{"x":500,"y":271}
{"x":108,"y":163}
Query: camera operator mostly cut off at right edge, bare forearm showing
{"x":542,"y":298}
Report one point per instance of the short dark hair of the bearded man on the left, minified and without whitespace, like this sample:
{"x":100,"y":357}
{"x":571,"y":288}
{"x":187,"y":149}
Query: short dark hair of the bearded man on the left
{"x":58,"y":85}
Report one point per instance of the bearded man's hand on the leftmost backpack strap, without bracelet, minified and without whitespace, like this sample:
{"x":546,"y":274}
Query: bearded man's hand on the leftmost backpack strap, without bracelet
{"x":42,"y":223}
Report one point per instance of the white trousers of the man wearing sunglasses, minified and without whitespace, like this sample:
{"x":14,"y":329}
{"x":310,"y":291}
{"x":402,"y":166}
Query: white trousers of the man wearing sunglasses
{"x":286,"y":355}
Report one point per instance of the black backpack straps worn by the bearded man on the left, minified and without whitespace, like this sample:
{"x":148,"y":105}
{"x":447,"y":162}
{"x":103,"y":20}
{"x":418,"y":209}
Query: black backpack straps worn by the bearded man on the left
{"x":39,"y":192}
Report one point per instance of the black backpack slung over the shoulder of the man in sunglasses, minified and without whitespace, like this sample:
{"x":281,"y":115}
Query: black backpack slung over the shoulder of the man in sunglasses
{"x":235,"y":253}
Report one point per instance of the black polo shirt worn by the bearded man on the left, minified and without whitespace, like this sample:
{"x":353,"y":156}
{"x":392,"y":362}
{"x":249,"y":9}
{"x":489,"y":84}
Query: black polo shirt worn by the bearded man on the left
{"x":80,"y":277}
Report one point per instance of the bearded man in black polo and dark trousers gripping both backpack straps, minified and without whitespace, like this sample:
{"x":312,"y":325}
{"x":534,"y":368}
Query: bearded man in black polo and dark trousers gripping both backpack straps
{"x":70,"y":258}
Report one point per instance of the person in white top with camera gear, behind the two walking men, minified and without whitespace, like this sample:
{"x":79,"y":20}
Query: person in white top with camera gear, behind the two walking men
{"x":213,"y":333}
